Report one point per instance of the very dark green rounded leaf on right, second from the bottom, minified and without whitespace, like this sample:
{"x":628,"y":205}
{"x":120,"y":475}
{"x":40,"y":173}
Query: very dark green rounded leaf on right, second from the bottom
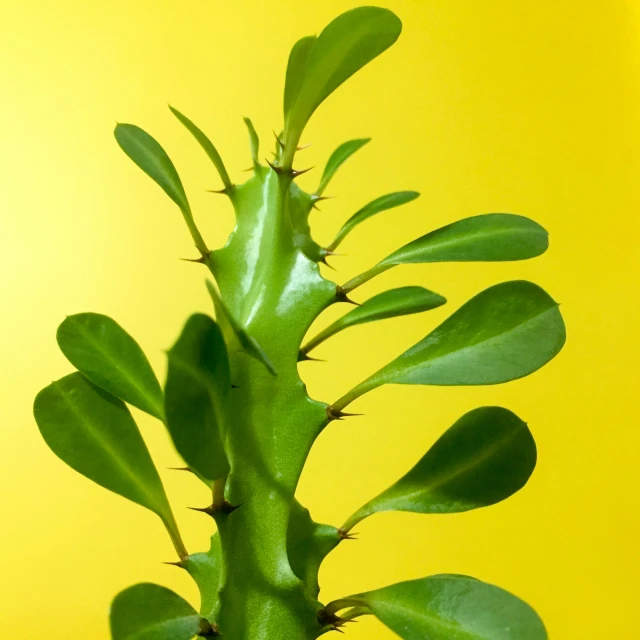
{"x":484,"y":458}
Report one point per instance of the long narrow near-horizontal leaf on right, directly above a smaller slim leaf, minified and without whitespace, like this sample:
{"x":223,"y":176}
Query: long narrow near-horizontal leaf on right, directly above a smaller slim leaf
{"x":492,"y":237}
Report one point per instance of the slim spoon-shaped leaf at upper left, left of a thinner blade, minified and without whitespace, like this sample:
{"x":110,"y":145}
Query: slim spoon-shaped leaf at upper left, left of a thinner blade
{"x":147,"y":153}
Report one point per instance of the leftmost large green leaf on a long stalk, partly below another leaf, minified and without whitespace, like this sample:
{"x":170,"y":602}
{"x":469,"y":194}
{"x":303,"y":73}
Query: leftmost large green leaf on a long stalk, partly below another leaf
{"x":94,"y":433}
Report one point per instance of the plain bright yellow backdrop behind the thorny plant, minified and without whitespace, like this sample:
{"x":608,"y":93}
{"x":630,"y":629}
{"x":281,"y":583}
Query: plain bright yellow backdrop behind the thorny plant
{"x":500,"y":105}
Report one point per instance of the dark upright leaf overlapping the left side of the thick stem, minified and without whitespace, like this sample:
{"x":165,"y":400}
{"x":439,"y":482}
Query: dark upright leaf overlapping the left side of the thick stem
{"x":198,"y":381}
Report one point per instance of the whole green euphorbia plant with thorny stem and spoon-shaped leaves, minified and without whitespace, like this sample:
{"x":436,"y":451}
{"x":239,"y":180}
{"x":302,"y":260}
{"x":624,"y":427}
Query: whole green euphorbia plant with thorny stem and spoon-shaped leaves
{"x":240,"y":417}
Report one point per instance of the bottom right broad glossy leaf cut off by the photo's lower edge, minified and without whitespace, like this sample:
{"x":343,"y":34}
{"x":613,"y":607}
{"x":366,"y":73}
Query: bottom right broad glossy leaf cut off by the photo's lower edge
{"x":452,"y":607}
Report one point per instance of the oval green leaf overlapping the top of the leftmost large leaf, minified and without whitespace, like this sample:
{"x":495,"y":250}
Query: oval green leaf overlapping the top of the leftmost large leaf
{"x":105,"y":353}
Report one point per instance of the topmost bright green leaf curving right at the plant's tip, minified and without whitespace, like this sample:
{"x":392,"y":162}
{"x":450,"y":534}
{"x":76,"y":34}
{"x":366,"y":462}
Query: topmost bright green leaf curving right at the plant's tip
{"x":346,"y":45}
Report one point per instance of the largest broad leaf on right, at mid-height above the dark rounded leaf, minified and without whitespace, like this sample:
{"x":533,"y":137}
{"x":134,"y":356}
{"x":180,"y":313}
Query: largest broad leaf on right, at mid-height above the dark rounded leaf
{"x":505,"y":332}
